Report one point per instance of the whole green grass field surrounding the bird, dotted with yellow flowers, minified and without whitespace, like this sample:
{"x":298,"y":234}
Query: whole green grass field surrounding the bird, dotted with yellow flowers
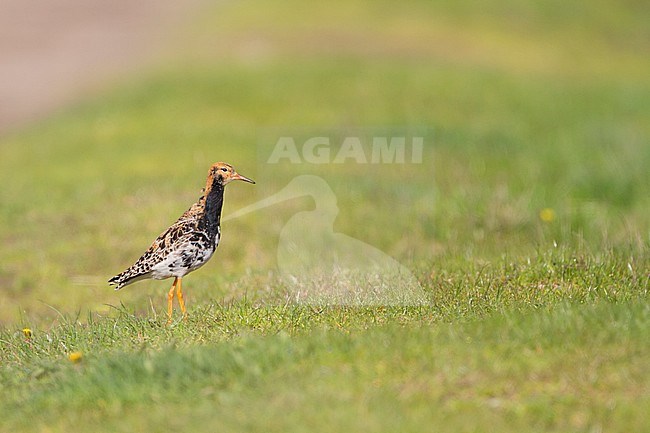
{"x":527,"y":224}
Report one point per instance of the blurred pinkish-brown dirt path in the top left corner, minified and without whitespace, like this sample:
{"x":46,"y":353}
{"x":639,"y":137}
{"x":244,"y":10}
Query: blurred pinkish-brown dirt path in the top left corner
{"x":52,"y":53}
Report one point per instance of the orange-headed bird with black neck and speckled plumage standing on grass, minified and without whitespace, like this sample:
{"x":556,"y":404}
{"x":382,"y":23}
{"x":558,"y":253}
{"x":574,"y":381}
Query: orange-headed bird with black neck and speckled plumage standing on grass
{"x":191,"y":241}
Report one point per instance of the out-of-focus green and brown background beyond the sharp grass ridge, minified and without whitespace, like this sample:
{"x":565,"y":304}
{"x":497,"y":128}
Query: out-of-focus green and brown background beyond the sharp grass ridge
{"x":110,"y":114}
